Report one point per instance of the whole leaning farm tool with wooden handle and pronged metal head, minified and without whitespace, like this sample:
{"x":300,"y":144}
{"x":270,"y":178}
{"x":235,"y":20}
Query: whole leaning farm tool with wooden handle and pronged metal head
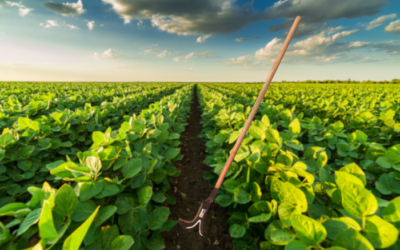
{"x":204,"y":207}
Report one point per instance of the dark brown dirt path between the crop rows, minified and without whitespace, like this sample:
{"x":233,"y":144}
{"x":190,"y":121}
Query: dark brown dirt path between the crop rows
{"x":191,"y":183}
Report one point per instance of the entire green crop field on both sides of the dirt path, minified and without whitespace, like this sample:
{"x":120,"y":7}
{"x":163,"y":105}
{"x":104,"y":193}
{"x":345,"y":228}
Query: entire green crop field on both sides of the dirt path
{"x":90,"y":163}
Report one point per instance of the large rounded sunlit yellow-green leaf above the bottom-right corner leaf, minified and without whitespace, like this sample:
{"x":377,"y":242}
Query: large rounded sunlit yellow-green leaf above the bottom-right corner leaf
{"x":358,"y":201}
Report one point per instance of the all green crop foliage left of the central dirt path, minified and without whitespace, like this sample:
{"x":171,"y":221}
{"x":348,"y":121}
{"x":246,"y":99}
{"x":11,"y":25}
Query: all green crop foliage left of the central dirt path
{"x":108,"y":162}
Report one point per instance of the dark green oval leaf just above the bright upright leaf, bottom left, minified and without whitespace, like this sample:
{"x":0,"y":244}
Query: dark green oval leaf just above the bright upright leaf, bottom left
{"x":66,"y":201}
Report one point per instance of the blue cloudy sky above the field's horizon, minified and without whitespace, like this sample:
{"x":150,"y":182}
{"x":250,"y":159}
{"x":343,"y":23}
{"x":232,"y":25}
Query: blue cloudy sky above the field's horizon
{"x":193,"y":40}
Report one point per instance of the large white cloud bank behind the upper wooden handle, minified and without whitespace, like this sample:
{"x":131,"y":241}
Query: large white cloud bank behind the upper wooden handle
{"x":317,"y":49}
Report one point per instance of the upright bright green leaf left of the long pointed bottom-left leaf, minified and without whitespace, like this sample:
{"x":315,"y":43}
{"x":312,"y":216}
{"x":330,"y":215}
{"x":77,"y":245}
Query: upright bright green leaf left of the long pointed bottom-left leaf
{"x":47,"y":229}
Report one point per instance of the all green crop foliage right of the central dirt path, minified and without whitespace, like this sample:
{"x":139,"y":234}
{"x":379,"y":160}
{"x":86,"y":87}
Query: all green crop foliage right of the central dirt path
{"x":303,"y":181}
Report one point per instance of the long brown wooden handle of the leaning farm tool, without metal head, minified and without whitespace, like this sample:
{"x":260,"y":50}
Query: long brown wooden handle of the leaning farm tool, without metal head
{"x":258,"y":102}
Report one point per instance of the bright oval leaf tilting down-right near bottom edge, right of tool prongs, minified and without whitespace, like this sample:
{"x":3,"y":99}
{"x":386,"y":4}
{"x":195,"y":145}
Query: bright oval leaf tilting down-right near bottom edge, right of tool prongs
{"x":308,"y":230}
